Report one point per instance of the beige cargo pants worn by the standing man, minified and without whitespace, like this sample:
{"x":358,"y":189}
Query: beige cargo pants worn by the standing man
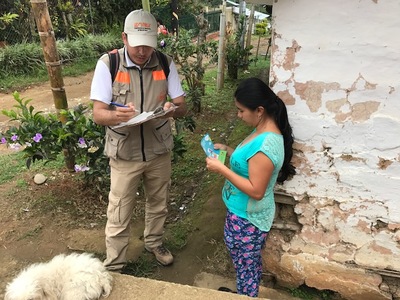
{"x":125,"y":178}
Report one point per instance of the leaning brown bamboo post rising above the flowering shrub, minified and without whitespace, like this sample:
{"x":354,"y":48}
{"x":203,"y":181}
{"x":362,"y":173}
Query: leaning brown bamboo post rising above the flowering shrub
{"x":51,"y":57}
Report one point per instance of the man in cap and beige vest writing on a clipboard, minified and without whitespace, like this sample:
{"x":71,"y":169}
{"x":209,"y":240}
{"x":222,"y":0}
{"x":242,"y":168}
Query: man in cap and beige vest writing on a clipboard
{"x":142,"y":151}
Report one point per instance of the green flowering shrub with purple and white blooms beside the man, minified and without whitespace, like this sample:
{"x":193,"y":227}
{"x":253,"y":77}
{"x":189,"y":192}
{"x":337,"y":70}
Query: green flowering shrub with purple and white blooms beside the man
{"x":44,"y":136}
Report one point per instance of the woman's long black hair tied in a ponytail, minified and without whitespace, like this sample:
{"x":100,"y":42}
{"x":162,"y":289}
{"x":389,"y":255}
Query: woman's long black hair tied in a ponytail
{"x":253,"y":93}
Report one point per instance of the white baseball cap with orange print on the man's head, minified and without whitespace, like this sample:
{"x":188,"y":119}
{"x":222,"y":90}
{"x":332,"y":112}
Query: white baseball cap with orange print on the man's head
{"x":141,"y":28}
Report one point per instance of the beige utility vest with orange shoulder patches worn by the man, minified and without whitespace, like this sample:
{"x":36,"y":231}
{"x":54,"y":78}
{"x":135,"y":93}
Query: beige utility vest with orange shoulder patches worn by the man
{"x":147,"y":89}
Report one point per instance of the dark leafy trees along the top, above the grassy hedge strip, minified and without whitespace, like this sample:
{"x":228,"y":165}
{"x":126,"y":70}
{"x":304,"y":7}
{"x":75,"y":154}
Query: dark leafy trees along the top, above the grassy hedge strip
{"x":75,"y":18}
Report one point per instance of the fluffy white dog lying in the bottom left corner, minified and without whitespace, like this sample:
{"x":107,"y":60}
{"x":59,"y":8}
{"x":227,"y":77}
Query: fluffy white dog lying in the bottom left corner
{"x":65,"y":277}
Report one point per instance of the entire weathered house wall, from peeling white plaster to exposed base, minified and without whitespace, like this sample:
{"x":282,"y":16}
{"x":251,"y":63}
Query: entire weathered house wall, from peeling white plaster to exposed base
{"x":336,"y":64}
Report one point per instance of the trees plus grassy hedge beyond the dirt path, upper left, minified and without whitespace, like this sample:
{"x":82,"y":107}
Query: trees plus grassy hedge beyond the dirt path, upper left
{"x":84,"y":30}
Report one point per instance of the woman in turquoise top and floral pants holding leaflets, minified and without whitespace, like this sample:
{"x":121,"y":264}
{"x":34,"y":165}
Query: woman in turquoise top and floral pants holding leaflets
{"x":257,"y":163}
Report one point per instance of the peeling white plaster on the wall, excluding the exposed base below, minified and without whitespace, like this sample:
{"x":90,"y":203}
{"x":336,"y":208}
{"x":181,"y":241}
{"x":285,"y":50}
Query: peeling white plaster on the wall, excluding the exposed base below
{"x":336,"y":64}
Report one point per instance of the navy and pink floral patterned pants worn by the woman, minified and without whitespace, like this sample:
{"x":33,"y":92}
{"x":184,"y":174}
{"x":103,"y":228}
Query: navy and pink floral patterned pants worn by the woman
{"x":245,"y":243}
